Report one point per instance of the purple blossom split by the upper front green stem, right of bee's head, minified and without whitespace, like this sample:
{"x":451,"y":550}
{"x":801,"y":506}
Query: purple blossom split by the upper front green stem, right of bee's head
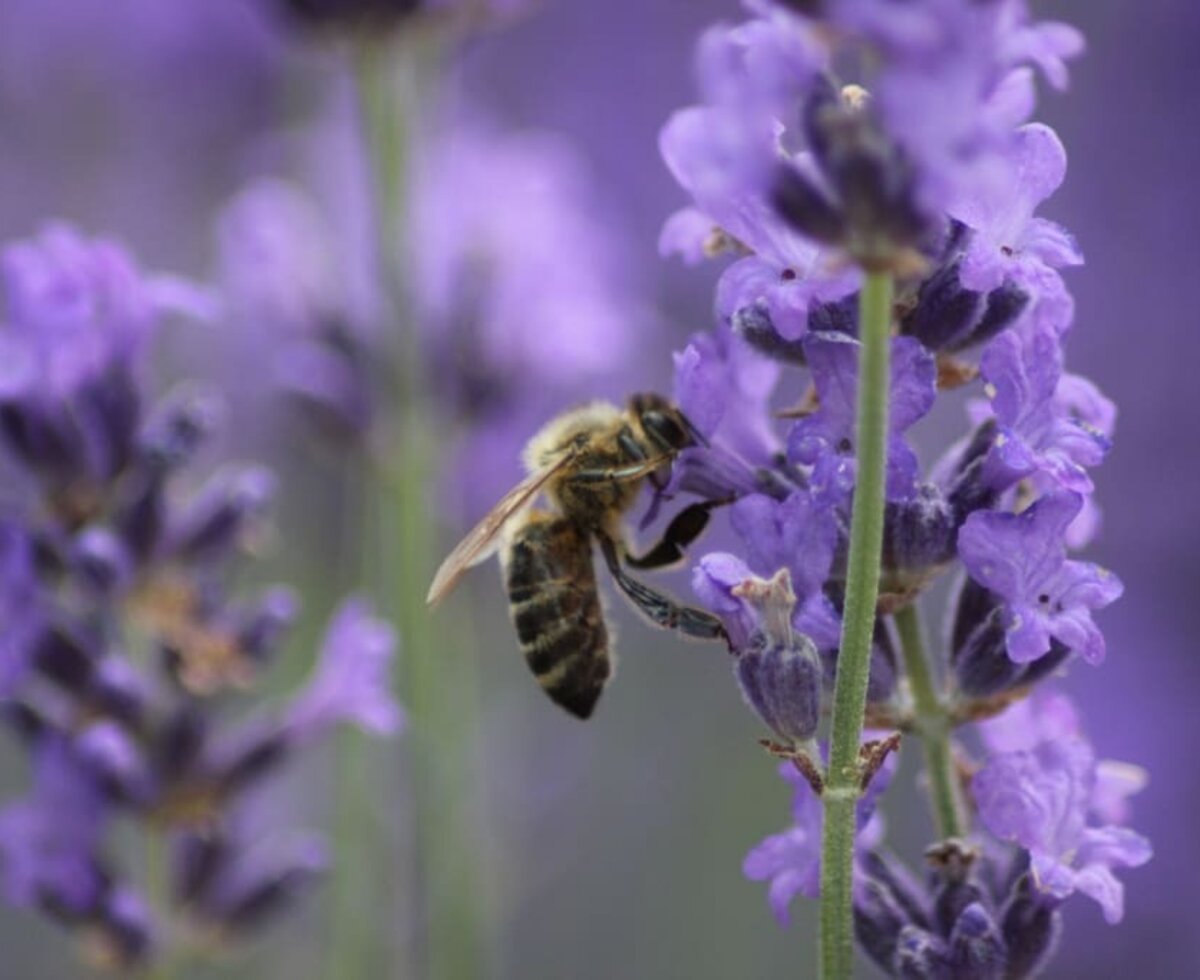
{"x":826,"y":440}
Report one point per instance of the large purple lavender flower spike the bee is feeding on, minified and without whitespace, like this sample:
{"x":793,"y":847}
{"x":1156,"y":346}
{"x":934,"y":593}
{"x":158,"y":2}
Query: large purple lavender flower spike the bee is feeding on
{"x":926,"y":169}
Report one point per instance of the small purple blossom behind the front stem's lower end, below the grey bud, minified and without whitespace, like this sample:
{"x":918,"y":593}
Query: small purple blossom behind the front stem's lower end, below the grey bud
{"x":791,"y":861}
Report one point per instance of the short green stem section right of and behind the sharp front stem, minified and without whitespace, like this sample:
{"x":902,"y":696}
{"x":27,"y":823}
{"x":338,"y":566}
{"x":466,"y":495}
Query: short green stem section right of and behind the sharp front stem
{"x":933,"y":724}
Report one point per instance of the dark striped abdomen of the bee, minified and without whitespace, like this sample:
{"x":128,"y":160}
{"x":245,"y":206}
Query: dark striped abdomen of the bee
{"x":556,"y":610}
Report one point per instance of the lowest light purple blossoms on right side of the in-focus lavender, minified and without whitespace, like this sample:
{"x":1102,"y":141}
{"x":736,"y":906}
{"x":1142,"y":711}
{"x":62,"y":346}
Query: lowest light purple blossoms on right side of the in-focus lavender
{"x":1041,"y":797}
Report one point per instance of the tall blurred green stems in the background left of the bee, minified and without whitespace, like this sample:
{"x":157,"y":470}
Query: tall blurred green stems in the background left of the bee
{"x":436,"y":898}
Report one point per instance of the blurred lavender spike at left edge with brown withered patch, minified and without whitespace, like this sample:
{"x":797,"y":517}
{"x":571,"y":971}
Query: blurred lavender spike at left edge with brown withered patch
{"x":125,"y":629}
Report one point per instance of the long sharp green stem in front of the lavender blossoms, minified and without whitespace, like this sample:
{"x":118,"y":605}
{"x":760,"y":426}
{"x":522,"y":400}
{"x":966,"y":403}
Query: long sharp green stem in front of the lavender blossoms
{"x":843,"y":790}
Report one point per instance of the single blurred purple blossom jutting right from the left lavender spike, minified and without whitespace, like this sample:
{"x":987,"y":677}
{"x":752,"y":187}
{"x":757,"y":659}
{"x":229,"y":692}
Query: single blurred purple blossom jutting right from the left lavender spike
{"x":350,"y":684}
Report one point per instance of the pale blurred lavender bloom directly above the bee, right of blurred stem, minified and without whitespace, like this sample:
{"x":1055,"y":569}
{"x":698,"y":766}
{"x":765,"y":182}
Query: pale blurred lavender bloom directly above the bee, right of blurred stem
{"x":523,"y":297}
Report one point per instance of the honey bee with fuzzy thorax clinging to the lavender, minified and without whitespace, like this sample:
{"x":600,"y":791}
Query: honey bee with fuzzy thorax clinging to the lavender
{"x":591,"y":464}
